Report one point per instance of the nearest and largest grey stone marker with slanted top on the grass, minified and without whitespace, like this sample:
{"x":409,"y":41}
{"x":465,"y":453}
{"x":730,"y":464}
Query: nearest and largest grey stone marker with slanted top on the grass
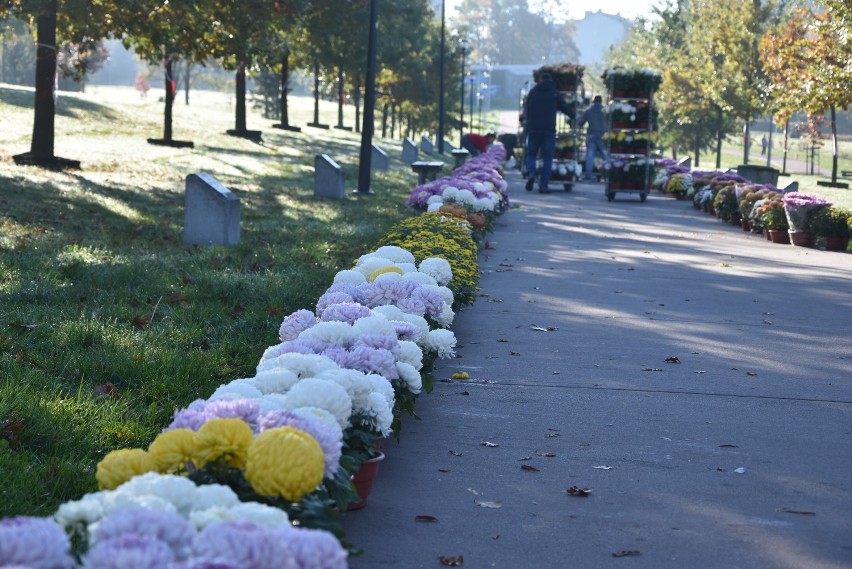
{"x":211,"y":212}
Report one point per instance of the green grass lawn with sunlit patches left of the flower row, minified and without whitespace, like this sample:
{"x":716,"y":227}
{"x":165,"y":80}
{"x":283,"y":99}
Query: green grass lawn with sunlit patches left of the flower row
{"x":108,"y":322}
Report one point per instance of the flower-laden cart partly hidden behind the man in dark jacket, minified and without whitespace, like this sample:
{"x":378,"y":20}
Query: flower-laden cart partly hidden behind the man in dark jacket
{"x":566,"y":167}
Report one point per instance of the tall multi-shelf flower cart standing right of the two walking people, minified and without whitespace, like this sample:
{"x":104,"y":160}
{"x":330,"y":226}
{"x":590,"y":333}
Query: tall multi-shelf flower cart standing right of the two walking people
{"x":632,"y":122}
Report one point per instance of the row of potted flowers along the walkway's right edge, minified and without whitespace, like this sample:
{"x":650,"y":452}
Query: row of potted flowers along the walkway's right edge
{"x":759,"y":208}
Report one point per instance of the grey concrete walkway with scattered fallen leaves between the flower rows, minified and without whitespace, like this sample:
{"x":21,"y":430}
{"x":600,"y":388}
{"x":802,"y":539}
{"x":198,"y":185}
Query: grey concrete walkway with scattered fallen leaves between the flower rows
{"x":738,"y":456}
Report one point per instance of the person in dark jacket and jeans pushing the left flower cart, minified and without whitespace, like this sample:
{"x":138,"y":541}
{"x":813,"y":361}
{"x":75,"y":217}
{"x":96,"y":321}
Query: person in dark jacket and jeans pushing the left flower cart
{"x":539,"y":117}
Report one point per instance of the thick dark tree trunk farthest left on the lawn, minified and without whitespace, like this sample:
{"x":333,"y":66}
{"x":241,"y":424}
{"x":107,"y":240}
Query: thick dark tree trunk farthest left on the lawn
{"x":41,"y":146}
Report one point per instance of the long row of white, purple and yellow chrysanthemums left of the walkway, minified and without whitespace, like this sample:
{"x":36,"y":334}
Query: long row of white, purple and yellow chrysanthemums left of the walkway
{"x":259,"y":474}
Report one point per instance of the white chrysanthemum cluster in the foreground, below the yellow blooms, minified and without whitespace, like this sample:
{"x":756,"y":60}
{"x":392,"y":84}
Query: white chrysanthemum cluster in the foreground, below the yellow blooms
{"x":200,"y":505}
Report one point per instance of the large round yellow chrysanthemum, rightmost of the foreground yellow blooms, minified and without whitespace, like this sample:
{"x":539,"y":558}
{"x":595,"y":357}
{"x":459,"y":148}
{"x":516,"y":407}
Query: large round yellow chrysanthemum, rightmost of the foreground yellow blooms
{"x":285,"y":462}
